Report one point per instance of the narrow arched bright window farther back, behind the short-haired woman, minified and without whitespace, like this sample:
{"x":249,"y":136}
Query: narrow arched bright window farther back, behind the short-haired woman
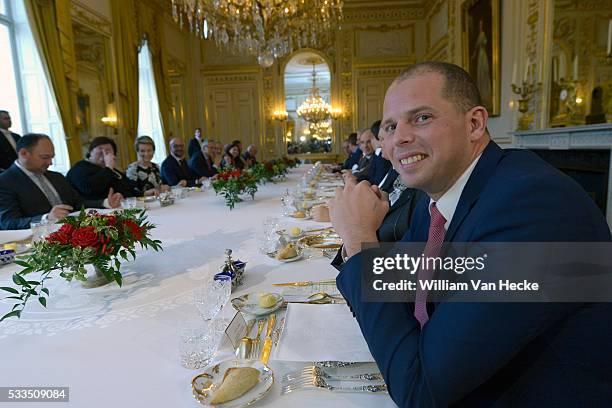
{"x":149,"y":122}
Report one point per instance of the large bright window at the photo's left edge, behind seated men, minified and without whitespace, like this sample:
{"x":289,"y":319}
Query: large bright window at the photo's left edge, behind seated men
{"x":27,"y":95}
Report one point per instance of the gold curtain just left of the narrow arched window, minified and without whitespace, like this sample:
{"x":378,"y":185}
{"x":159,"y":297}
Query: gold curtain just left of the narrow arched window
{"x":126,"y":40}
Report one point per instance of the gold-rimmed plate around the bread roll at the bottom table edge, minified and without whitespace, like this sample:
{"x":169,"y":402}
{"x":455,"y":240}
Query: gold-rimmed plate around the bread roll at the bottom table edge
{"x":205,"y":384}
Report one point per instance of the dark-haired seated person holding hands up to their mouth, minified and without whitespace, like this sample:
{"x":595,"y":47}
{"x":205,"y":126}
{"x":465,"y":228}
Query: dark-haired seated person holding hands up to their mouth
{"x":94,"y":176}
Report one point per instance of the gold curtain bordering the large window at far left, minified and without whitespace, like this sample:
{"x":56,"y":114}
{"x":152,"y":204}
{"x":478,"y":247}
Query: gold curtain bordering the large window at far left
{"x":53,"y":37}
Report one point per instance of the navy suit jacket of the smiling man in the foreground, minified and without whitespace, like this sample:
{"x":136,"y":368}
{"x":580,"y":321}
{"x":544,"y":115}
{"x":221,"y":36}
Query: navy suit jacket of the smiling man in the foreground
{"x":497,"y":354}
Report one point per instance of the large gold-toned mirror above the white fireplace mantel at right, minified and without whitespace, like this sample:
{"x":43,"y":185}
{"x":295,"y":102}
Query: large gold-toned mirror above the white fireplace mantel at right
{"x":581,"y":69}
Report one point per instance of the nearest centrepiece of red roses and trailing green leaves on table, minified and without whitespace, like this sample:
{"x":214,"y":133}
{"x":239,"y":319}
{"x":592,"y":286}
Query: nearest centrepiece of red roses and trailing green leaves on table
{"x":89,"y":238}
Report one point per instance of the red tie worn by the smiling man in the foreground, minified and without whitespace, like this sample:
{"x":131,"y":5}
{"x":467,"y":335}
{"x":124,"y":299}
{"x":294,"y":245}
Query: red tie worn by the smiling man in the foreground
{"x":432,"y":249}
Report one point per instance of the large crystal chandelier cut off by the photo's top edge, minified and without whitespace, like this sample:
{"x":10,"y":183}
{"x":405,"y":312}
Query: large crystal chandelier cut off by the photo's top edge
{"x":266,"y":29}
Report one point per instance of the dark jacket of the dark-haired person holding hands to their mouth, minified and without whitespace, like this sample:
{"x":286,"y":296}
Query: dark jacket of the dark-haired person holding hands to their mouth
{"x":94,"y":182}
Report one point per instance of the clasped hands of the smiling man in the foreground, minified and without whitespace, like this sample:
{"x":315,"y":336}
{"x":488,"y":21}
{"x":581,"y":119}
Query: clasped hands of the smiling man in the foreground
{"x":356,"y":212}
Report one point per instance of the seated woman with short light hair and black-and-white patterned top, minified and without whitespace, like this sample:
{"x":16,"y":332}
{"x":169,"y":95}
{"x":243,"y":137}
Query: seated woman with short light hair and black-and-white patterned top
{"x":144,"y":172}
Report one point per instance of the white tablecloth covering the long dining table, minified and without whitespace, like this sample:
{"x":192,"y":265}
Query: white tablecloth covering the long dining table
{"x":118,"y":346}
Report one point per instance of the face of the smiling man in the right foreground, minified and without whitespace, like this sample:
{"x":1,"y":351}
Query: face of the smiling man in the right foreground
{"x":426,"y":137}
